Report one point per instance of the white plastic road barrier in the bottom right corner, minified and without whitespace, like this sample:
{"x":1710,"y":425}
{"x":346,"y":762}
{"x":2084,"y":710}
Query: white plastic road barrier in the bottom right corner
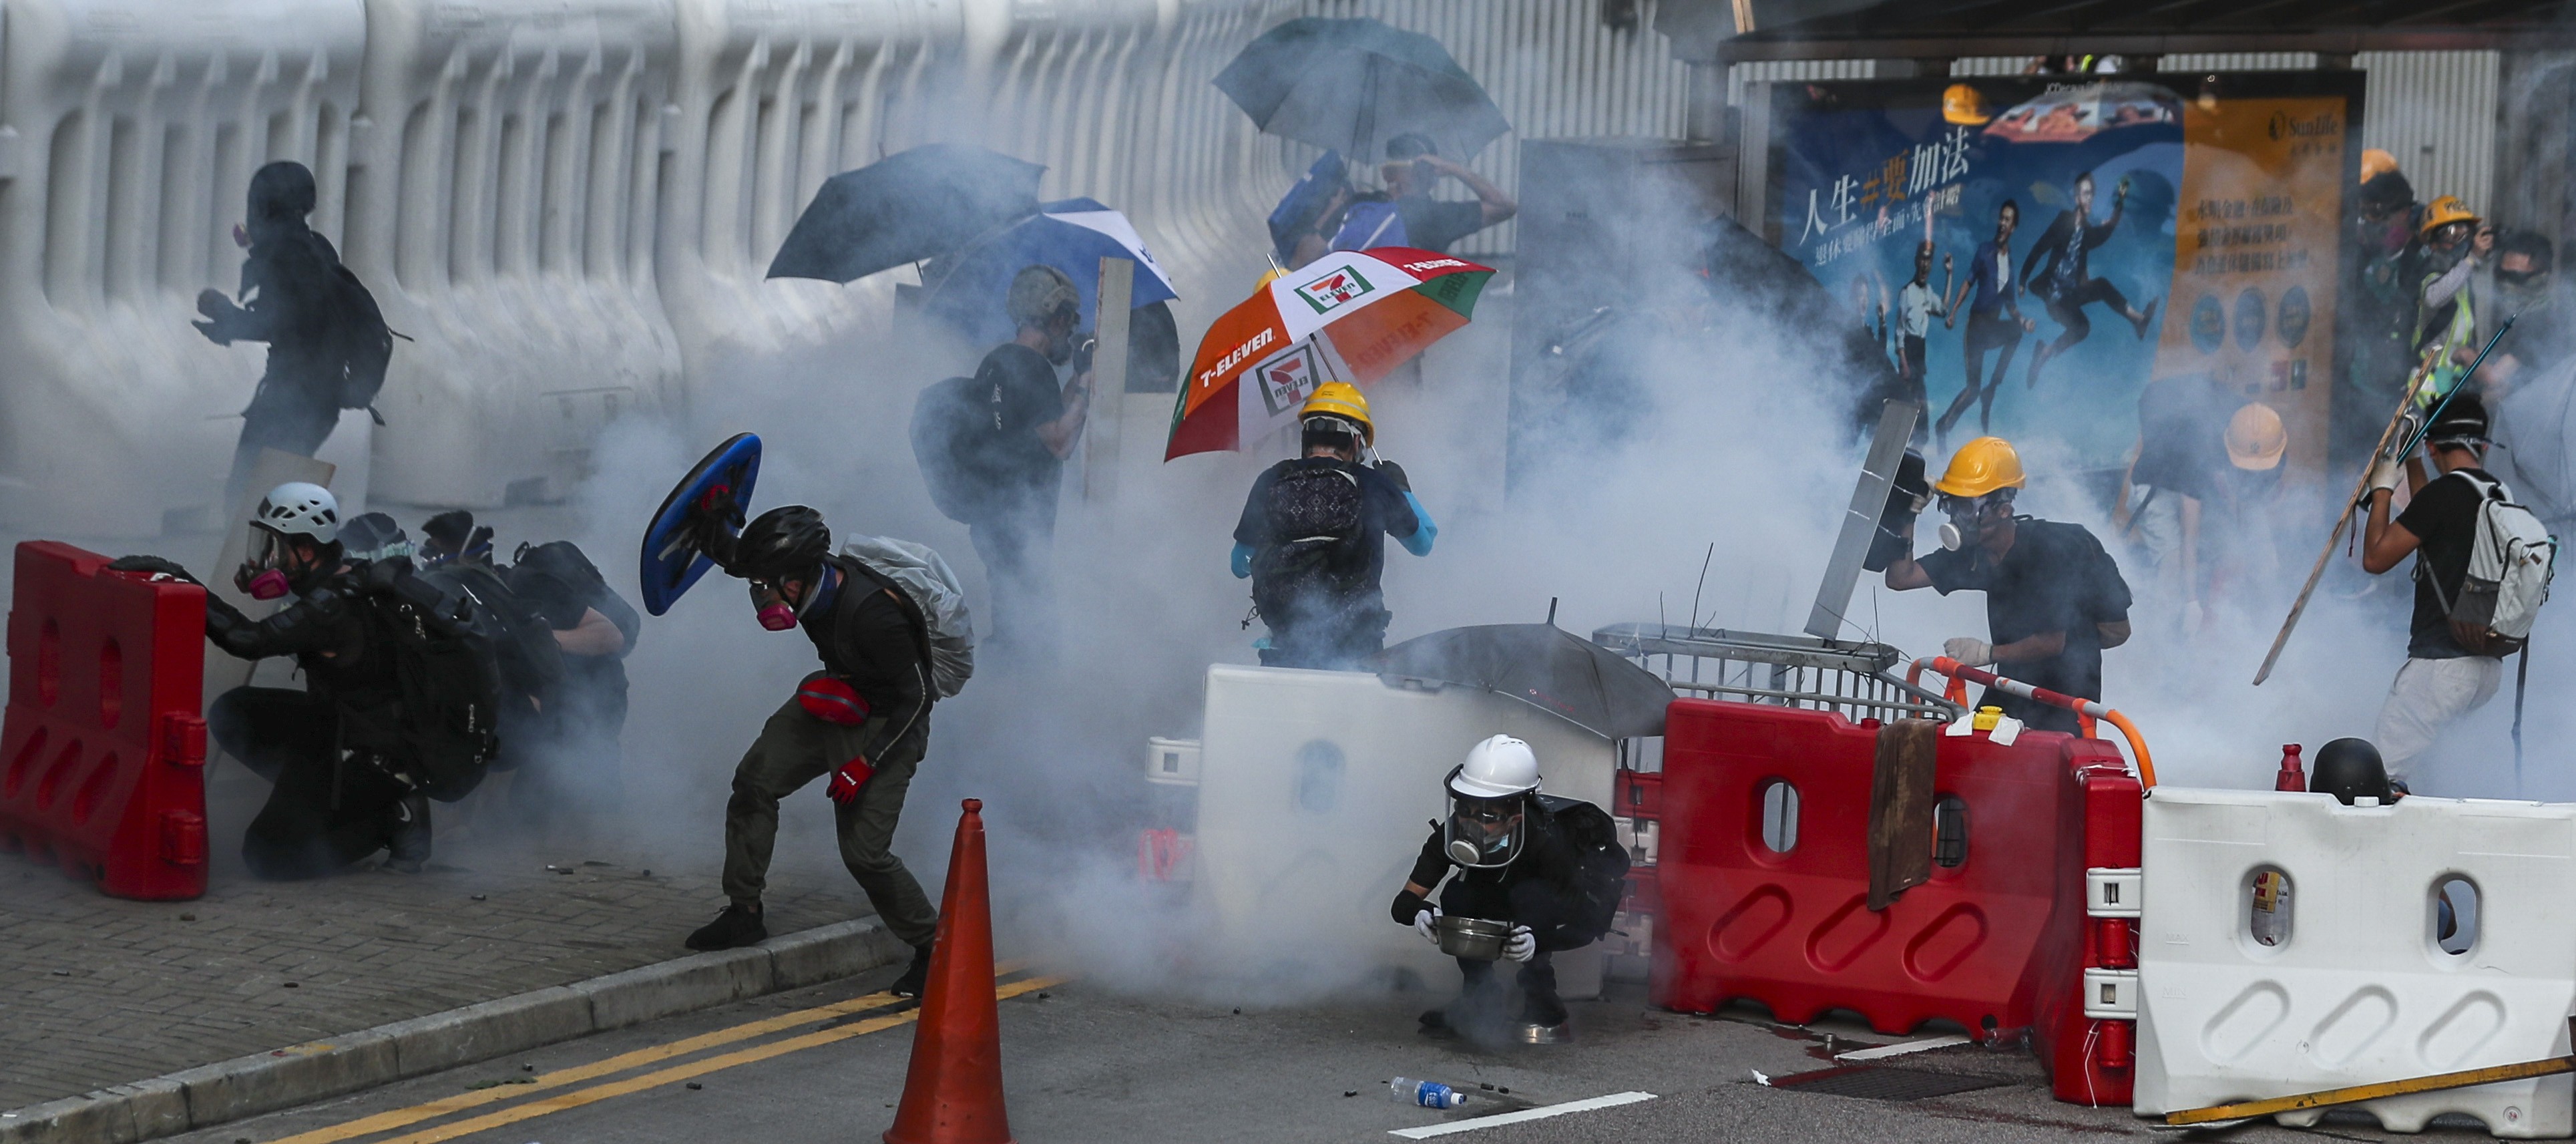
{"x":2361,"y":986}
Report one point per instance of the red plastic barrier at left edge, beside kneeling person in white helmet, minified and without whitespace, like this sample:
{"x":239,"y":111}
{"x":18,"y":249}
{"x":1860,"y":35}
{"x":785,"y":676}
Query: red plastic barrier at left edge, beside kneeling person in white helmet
{"x":104,"y":751}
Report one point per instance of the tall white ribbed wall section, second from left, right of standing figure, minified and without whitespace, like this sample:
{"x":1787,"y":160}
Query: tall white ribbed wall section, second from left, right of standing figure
{"x":504,"y":213}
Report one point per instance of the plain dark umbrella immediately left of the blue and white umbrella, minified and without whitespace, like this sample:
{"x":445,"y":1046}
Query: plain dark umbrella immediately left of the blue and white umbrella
{"x":903,"y":210}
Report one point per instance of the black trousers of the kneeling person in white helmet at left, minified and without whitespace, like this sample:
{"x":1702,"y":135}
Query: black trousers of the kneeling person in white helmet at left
{"x":321,"y":813}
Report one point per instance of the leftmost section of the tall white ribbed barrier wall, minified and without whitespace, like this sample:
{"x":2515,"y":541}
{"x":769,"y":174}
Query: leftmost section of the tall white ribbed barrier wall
{"x":130,"y":138}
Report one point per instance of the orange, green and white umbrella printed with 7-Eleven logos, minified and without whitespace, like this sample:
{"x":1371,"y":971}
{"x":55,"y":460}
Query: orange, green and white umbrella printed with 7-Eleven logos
{"x":1351,"y":316}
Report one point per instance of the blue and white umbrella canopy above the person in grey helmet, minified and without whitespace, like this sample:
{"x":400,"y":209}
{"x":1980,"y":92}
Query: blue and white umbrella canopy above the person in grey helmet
{"x":970,"y":287}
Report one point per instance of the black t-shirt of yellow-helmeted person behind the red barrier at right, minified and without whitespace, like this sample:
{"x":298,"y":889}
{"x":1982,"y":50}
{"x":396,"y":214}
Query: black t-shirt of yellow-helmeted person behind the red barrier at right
{"x":2054,"y":578}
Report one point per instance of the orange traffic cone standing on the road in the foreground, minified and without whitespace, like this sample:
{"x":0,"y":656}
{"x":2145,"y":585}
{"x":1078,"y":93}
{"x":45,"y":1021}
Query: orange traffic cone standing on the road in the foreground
{"x":954,"y":1091}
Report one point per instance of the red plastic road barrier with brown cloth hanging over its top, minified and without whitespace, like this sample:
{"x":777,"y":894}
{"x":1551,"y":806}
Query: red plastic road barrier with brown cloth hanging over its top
{"x":1995,"y":942}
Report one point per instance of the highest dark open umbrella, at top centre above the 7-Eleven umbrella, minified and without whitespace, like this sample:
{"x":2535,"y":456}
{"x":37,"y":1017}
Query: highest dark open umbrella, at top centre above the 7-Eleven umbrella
{"x":1356,"y":84}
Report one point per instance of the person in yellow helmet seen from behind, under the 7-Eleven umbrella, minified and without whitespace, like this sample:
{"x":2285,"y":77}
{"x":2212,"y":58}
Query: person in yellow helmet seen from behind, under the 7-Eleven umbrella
{"x":1312,"y":537}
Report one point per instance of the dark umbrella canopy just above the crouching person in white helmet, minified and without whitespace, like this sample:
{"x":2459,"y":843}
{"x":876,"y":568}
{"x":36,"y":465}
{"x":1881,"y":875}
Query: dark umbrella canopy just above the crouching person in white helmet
{"x":1544,"y":666}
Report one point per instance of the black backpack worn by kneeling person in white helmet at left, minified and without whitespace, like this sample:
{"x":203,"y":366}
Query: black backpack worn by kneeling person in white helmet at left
{"x":447,"y":671}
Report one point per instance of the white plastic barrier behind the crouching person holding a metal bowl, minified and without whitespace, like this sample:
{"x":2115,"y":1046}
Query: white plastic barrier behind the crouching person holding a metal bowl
{"x":1315,"y":795}
